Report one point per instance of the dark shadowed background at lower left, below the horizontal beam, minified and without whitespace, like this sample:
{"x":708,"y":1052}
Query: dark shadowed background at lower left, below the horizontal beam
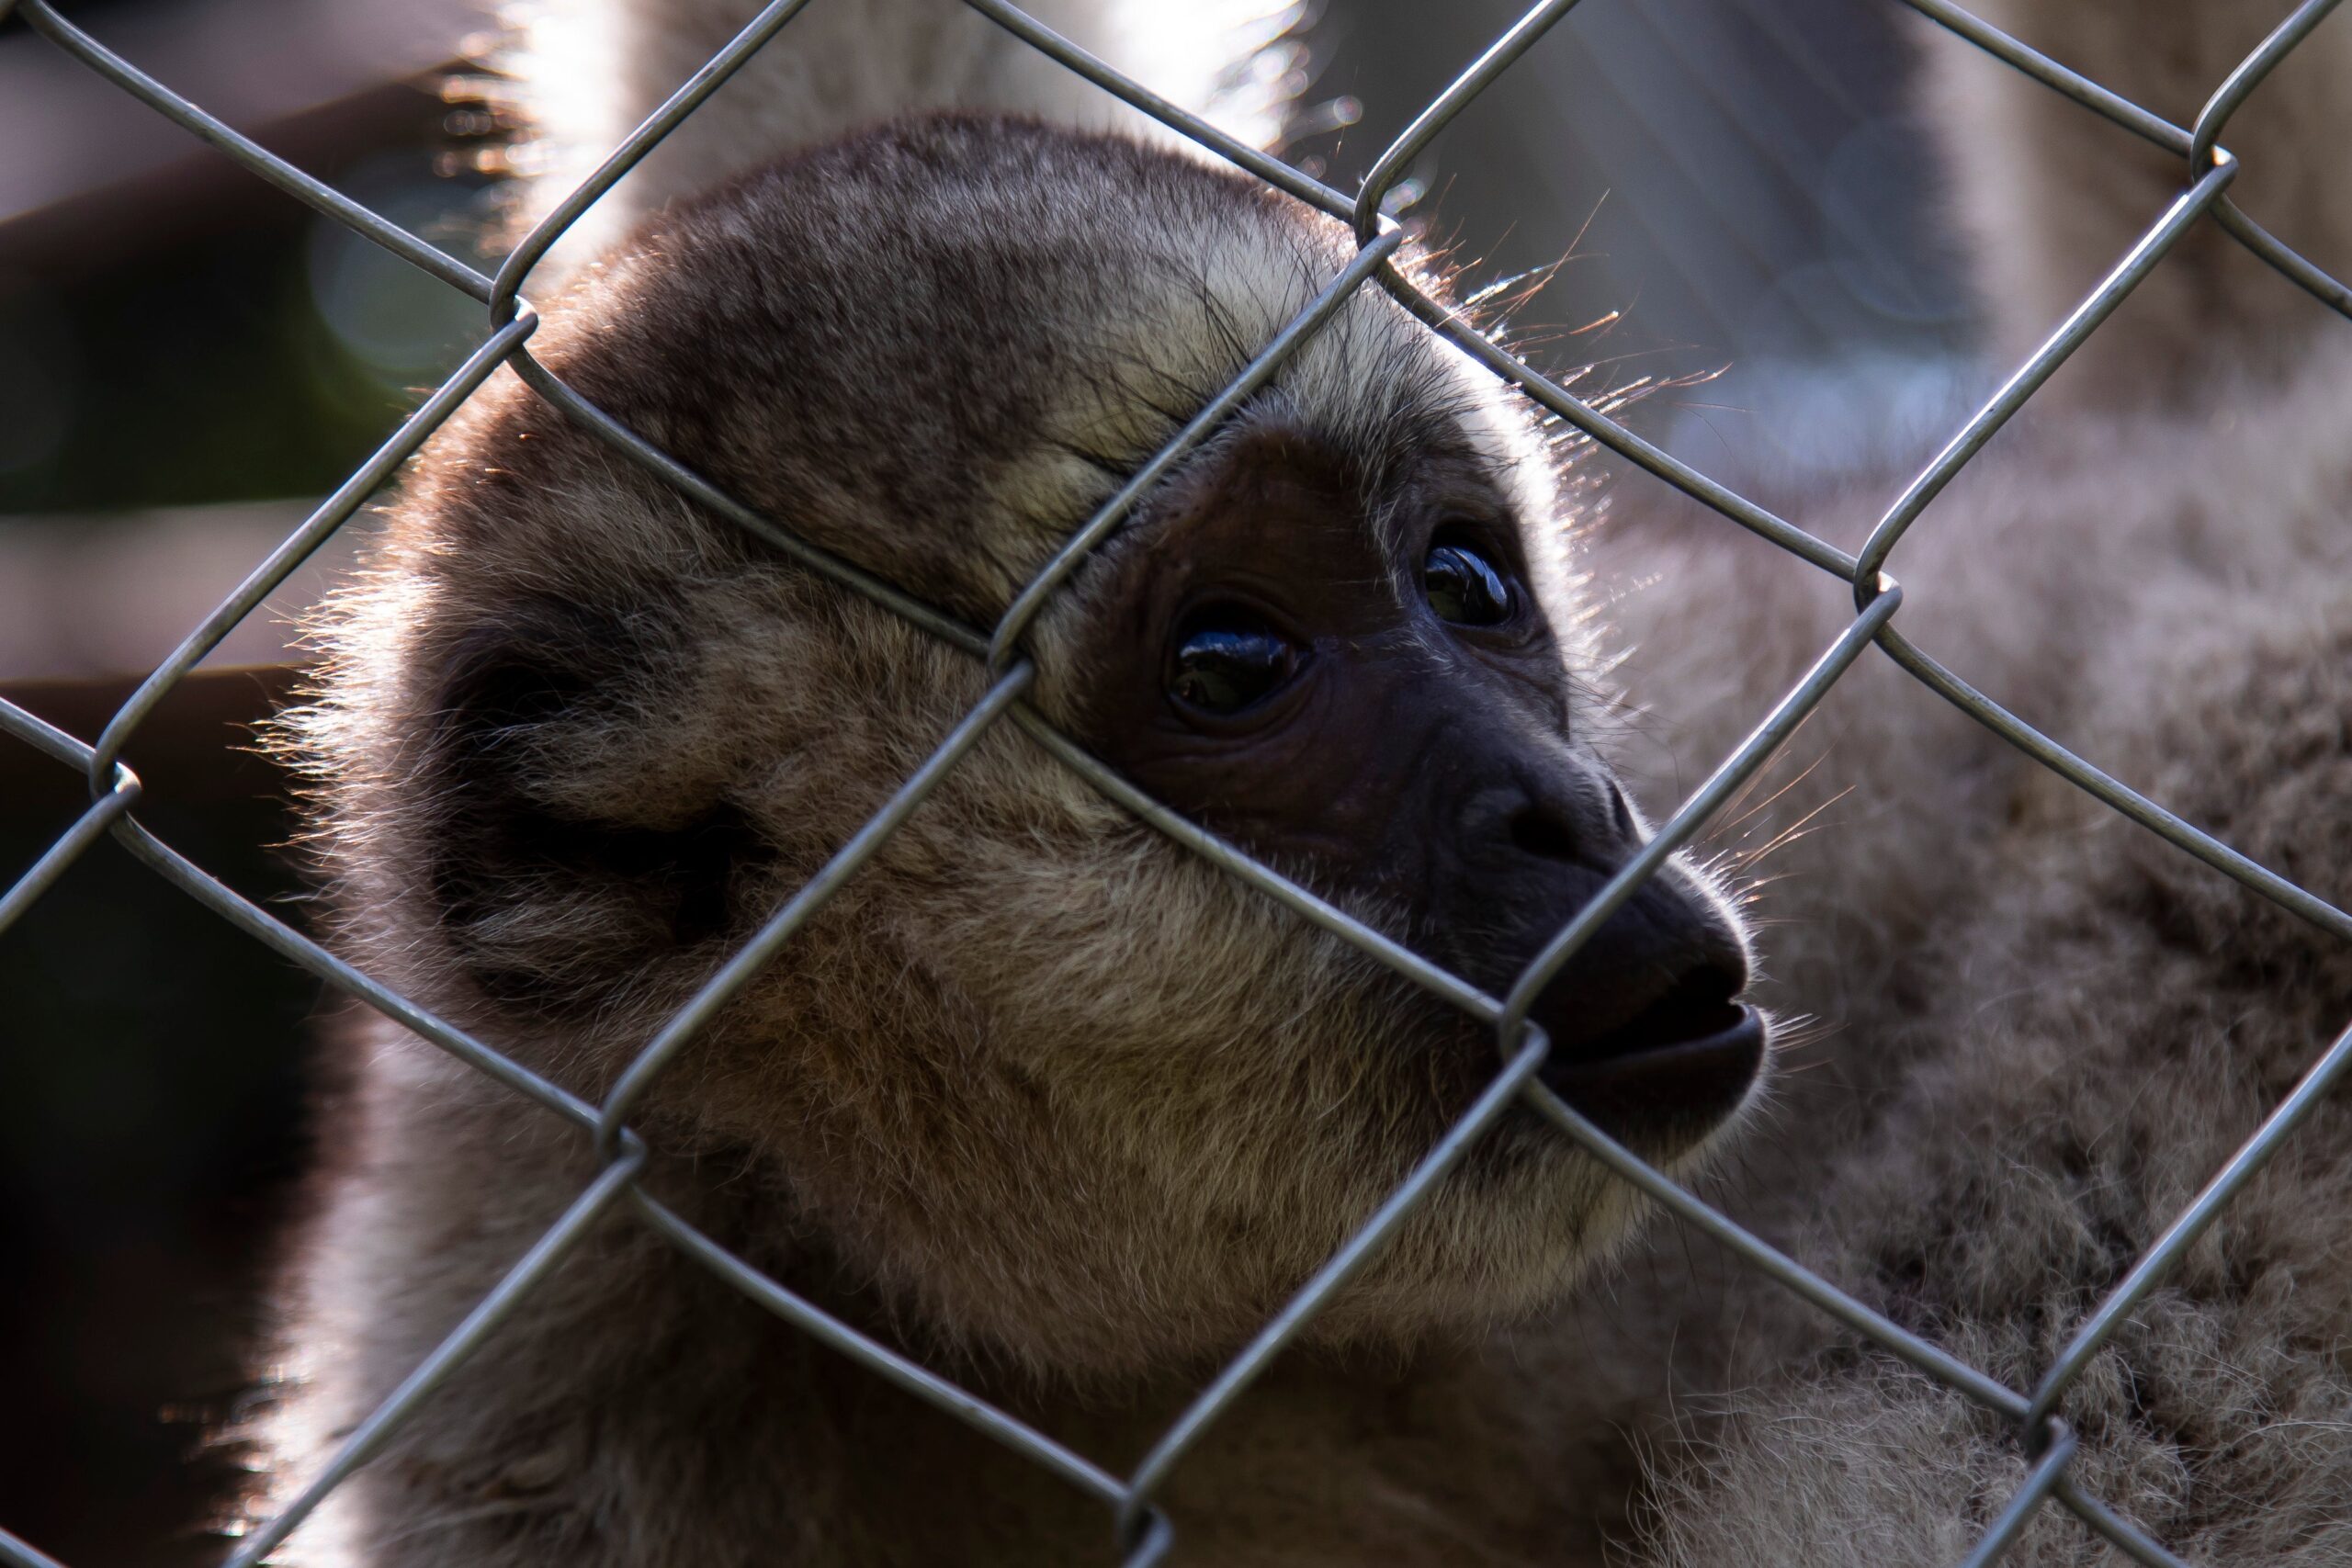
{"x":152,"y":1132}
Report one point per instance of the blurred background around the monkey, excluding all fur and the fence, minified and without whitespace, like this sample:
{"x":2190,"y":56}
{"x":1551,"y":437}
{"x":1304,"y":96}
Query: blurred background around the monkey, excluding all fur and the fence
{"x":1728,"y":194}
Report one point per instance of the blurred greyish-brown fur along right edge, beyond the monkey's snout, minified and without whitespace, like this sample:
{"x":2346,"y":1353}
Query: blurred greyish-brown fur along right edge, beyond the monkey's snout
{"x":2156,"y":568}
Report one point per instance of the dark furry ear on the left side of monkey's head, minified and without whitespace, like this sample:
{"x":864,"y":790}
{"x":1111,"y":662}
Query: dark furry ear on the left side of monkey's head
{"x":556,"y":857}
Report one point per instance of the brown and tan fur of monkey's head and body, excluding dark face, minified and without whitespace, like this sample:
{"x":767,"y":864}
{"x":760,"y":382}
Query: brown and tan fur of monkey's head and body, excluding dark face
{"x":1050,"y":1104}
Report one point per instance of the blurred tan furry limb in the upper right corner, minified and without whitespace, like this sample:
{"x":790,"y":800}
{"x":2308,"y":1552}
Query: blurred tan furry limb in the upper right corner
{"x":2050,"y":196}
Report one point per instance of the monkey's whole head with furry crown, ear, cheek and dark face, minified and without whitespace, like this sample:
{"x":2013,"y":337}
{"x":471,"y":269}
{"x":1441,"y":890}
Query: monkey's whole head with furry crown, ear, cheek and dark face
{"x":1038,"y":1078}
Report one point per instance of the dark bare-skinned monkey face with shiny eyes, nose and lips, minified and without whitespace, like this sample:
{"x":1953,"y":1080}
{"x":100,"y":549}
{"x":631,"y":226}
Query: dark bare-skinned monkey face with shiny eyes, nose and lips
{"x":1389,"y":713}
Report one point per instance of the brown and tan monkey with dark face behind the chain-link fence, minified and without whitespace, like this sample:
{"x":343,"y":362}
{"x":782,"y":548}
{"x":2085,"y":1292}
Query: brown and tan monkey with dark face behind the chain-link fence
{"x":1057,"y":1108}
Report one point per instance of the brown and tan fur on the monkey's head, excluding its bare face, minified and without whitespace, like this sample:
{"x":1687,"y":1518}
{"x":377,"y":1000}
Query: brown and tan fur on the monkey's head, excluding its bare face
{"x":1038,"y":1076}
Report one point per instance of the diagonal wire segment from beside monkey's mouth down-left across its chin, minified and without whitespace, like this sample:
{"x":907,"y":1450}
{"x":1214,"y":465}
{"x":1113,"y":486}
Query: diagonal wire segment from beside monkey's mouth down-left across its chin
{"x":1344,"y":1266}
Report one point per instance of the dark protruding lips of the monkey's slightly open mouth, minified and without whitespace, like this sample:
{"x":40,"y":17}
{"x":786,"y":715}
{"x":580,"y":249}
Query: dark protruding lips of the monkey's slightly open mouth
{"x":1688,"y":1059}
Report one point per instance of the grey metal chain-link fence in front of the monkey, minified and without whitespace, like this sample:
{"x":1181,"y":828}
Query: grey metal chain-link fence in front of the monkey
{"x":1142,"y":1529}
